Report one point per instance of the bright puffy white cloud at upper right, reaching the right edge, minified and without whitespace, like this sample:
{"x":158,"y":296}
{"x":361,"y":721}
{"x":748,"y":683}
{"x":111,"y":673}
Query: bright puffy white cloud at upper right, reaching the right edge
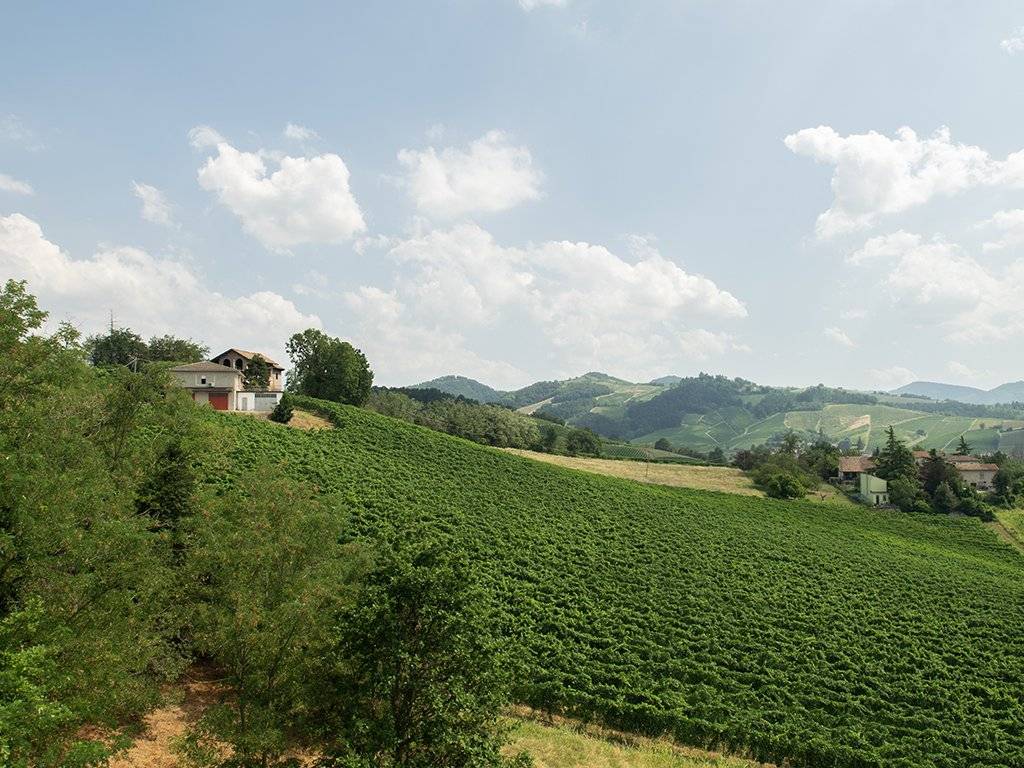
{"x":875,"y":176}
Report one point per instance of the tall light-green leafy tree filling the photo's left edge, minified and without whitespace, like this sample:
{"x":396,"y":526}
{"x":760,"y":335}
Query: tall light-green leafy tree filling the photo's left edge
{"x":88,"y":596}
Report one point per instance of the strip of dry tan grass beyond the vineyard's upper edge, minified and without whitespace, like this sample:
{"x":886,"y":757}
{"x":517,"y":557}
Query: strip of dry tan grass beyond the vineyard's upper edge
{"x":728,"y":480}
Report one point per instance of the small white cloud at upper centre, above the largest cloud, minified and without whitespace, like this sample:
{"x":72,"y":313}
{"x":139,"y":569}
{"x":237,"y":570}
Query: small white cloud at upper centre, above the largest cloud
{"x":490,"y":176}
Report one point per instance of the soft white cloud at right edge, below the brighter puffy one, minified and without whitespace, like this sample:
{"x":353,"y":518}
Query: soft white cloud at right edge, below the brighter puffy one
{"x":965,"y":301}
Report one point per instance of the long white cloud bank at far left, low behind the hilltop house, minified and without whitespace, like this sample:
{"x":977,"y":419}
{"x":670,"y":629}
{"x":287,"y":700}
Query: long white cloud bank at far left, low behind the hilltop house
{"x":149,"y":294}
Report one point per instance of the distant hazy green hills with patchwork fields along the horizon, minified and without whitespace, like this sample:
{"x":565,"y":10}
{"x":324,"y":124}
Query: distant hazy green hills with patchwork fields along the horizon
{"x":708,"y":413}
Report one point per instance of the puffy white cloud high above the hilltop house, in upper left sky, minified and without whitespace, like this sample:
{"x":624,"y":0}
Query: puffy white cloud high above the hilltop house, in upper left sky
{"x":307,"y":200}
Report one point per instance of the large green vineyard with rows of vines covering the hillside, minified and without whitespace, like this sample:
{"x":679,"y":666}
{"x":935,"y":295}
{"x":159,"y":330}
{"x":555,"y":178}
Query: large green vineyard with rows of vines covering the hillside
{"x":820,"y":634}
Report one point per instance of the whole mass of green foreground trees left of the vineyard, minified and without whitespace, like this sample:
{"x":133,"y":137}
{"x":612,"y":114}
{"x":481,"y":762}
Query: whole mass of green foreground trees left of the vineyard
{"x":120,"y":567}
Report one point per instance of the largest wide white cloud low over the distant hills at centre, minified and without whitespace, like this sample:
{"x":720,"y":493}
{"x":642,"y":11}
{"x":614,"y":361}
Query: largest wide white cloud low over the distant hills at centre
{"x":577,"y":304}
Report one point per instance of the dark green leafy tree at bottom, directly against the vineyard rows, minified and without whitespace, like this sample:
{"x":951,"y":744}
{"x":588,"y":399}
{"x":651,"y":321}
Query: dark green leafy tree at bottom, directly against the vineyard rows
{"x":420,"y":677}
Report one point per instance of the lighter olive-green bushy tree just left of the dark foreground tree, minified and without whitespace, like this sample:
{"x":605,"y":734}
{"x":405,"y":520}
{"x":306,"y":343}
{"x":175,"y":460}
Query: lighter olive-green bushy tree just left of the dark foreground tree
{"x":269,"y":575}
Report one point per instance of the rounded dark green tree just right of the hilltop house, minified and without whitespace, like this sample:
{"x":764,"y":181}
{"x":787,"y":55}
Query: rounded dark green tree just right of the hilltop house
{"x":328,"y":368}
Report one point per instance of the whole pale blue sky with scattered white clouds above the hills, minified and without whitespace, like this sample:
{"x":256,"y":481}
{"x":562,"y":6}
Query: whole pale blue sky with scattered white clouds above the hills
{"x":792,"y":193}
